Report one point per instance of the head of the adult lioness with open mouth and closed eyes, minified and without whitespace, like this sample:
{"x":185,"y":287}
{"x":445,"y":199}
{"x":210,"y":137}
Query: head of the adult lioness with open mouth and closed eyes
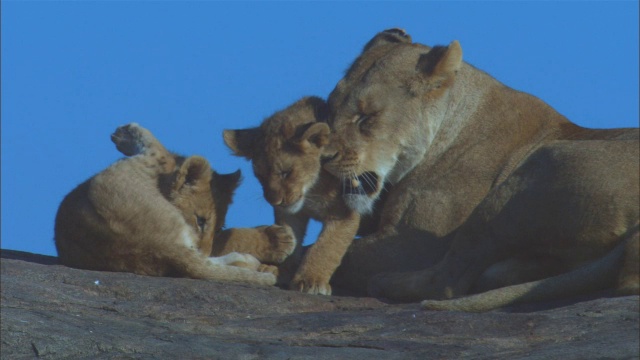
{"x":386,"y":111}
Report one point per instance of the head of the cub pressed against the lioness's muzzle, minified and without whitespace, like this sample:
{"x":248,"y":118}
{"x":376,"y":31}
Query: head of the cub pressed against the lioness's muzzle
{"x":285,"y":151}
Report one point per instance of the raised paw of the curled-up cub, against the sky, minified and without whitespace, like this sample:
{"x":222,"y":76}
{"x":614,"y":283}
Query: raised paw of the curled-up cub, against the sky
{"x":132,"y":139}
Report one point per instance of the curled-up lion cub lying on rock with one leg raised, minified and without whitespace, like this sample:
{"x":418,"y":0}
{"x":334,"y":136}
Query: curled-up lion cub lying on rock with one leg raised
{"x":150,"y":214}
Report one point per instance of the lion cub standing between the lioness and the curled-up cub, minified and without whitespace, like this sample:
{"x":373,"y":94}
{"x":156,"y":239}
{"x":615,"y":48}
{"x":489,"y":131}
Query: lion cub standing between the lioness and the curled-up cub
{"x":286,"y":152}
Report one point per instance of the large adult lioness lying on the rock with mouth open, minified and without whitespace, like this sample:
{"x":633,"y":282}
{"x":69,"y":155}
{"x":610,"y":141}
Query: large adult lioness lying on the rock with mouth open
{"x":491,"y":186}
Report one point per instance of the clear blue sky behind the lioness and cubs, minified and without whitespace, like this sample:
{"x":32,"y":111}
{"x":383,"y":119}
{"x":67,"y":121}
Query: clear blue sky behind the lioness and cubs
{"x":73,"y":71}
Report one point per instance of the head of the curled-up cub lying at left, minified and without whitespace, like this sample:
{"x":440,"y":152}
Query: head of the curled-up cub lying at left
{"x":202,"y":196}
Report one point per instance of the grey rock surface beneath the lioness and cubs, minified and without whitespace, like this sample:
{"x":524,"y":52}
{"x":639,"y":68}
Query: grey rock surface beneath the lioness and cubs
{"x":53,"y":312}
